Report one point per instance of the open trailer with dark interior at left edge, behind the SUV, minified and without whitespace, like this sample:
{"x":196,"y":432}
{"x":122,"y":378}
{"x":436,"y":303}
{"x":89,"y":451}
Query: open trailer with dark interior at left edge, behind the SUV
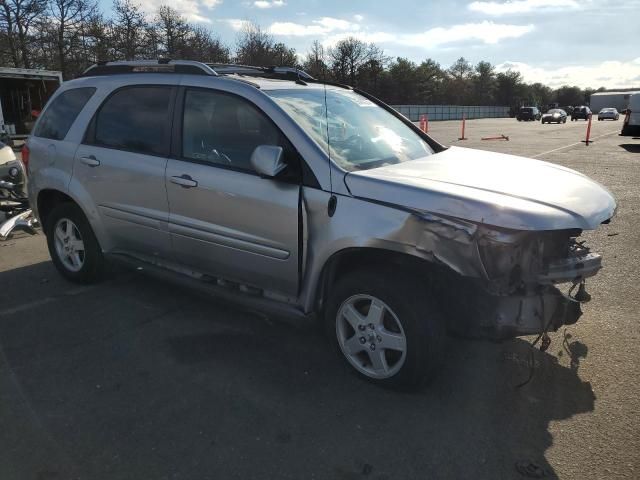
{"x":23,"y":93}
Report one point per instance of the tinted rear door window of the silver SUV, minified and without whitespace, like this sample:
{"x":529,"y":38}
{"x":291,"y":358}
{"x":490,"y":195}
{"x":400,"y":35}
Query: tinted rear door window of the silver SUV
{"x":135,"y":119}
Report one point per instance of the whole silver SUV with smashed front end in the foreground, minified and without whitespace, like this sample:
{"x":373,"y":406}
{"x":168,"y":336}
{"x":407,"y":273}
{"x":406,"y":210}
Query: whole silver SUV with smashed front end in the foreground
{"x":310,"y":199}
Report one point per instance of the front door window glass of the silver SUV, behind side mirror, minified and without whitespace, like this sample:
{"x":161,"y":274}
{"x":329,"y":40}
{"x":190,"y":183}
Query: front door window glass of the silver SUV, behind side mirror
{"x":223,"y":129}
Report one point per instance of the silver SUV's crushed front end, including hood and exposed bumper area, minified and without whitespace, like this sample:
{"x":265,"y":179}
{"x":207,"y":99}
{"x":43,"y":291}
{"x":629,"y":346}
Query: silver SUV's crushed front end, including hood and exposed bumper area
{"x":513,"y":262}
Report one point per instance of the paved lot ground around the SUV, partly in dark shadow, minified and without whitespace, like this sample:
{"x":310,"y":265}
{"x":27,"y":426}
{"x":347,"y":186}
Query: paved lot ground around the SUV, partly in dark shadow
{"x":135,"y":378}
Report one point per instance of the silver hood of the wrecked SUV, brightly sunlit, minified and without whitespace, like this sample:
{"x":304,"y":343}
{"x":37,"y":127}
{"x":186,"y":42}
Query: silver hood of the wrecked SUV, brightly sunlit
{"x":492,"y":188}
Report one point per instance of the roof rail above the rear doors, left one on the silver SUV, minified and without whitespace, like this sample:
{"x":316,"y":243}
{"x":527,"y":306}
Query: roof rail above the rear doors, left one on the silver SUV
{"x":163,"y":65}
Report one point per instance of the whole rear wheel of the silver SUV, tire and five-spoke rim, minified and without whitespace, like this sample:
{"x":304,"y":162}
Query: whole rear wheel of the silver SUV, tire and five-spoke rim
{"x":73,"y":247}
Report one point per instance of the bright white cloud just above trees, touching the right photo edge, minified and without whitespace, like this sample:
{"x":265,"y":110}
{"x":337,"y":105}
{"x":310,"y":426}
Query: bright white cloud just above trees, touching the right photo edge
{"x":610,"y":74}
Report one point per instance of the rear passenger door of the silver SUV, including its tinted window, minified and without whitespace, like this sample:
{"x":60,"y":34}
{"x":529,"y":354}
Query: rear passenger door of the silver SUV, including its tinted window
{"x":122,"y":164}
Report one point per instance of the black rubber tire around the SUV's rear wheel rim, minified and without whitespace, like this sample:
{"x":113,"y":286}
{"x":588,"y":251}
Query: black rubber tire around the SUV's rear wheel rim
{"x":93,"y":260}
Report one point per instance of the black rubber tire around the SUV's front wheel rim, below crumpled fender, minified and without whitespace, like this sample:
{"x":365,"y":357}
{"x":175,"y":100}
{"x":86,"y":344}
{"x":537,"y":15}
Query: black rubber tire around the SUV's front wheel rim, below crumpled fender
{"x":416,"y":311}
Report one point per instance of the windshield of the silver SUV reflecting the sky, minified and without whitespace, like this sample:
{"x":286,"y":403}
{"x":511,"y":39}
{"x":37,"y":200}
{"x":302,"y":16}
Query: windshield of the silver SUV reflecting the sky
{"x":358,"y":134}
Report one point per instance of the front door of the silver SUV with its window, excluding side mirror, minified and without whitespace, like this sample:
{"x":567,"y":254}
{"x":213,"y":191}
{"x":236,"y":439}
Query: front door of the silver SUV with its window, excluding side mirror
{"x":224,"y":219}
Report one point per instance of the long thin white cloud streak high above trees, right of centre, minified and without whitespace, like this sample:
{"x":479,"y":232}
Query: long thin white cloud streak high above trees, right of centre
{"x":485,"y":32}
